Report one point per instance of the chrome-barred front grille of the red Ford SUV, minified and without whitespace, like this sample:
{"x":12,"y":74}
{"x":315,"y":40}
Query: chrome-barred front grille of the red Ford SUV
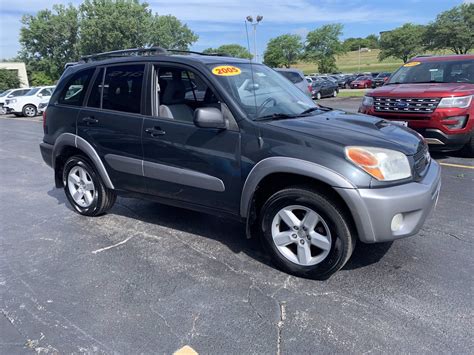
{"x":405,"y":105}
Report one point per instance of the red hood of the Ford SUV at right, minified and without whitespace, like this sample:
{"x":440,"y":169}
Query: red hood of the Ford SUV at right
{"x":424,"y":90}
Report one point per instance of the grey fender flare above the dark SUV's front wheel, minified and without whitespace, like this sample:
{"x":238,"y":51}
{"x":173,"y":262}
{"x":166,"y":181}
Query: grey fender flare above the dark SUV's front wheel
{"x":273,"y":165}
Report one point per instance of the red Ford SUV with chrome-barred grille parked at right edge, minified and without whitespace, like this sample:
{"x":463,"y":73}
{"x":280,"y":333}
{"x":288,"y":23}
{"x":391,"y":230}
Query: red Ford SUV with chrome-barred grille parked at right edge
{"x":432,"y":95}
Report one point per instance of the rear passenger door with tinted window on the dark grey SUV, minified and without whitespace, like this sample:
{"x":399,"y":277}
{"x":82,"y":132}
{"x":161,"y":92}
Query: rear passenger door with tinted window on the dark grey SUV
{"x":112,"y":122}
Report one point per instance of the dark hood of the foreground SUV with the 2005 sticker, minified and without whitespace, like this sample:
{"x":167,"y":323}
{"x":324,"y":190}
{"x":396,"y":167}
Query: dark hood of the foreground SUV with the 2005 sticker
{"x":354,"y":129}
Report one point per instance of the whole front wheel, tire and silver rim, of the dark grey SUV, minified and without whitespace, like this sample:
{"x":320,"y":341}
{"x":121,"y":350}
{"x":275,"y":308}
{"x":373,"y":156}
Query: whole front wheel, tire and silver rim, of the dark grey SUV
{"x":306,"y":232}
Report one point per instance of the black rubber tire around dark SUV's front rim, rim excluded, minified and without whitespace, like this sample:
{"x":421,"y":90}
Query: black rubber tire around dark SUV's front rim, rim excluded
{"x":339,"y":223}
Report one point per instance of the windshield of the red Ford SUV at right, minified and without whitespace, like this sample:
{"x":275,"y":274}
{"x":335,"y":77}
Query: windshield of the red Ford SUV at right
{"x":453,"y":71}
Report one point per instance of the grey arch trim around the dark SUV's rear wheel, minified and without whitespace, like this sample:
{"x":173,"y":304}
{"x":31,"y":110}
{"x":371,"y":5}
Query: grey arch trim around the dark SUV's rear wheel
{"x":67,"y":145}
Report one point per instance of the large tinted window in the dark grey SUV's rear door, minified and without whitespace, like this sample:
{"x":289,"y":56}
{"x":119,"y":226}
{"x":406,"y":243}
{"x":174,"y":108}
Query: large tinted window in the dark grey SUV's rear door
{"x":122,"y":88}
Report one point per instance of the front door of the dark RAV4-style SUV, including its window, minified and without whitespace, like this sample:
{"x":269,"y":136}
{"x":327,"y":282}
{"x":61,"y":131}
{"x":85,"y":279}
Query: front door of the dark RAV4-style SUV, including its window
{"x":181,"y":161}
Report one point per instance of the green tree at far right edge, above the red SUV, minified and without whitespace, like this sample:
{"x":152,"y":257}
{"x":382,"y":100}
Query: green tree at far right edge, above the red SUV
{"x":452,"y":29}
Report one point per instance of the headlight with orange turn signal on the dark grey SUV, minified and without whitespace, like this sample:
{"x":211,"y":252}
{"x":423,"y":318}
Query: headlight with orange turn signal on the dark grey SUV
{"x":382,"y":164}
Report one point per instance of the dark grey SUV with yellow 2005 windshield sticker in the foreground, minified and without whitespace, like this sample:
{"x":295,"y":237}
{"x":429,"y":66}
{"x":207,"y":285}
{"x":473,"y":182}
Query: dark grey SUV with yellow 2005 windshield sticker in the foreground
{"x":308,"y":180}
